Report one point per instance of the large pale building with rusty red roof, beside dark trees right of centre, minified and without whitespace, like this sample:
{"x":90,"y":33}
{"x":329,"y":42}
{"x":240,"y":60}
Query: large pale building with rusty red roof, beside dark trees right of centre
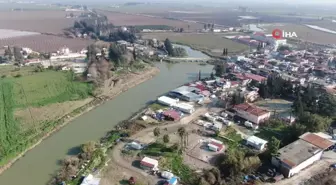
{"x":252,"y":113}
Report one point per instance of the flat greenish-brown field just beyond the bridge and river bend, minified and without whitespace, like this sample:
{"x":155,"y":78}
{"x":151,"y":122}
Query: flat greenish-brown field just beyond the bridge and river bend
{"x":213,"y":43}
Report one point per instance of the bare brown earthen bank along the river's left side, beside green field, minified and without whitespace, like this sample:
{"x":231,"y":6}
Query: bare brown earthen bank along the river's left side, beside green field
{"x":125,"y":82}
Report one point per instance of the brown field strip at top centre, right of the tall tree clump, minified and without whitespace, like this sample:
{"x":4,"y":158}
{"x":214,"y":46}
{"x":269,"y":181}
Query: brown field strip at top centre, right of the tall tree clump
{"x":123,"y":19}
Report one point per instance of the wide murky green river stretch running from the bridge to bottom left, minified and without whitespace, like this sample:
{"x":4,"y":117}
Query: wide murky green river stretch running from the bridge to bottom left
{"x":37,"y":166}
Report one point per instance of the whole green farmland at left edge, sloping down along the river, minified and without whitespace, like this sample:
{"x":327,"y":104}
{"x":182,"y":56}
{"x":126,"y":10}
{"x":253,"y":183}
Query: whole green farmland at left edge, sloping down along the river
{"x":33,"y":91}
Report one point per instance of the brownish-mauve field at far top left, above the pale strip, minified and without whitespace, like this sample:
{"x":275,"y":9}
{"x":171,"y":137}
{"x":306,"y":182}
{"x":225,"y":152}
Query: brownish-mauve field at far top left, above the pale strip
{"x":43,"y":21}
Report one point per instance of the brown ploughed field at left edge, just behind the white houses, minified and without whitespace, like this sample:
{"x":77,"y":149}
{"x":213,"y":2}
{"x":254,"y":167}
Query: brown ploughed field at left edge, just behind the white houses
{"x":46,"y":43}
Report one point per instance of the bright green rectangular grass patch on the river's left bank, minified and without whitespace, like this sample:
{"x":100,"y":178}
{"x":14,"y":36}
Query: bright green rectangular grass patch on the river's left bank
{"x":46,"y":88}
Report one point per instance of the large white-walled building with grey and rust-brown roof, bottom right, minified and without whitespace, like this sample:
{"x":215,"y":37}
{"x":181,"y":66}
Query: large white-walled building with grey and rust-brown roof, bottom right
{"x":301,"y":153}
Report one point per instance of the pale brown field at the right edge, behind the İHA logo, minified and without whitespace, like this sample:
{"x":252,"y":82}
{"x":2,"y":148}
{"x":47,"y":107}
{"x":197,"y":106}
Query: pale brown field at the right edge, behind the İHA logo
{"x":305,"y":33}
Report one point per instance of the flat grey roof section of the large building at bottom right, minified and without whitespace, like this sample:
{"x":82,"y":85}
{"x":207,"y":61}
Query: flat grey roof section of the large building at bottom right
{"x":297,"y":152}
